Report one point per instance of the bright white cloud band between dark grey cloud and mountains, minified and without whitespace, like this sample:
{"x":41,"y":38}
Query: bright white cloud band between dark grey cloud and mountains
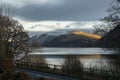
{"x":54,"y":25}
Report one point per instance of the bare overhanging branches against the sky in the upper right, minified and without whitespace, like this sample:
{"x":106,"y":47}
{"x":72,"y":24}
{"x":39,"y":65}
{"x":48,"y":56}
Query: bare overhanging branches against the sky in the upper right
{"x":110,"y":21}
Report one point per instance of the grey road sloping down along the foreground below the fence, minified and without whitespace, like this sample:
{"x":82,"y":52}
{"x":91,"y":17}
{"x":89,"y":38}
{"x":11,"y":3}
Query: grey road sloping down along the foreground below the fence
{"x":47,"y":75}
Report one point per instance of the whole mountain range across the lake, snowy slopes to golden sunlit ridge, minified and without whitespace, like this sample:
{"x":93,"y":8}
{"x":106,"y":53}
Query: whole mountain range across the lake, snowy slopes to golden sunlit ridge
{"x":70,"y":39}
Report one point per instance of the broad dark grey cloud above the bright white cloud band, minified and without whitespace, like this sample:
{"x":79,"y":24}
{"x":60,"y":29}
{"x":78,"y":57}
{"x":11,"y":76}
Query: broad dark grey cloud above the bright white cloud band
{"x":72,"y":10}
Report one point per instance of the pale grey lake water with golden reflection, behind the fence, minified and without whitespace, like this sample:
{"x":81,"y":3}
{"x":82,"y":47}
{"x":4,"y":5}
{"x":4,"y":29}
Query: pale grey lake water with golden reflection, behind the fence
{"x":88,"y":56}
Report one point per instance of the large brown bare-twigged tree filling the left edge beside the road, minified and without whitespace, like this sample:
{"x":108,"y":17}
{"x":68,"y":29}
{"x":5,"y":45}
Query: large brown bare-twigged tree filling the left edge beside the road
{"x":13,"y":42}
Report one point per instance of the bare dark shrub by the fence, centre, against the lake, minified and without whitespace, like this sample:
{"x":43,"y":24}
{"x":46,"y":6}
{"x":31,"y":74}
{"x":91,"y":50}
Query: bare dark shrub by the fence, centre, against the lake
{"x":72,"y":65}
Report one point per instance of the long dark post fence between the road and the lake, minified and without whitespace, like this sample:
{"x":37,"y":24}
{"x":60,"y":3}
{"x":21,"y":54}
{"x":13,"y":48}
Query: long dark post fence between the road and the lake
{"x":83,"y":73}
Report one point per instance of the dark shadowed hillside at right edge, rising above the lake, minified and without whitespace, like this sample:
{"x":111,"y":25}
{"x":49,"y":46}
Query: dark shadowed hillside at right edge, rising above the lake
{"x":112,"y":38}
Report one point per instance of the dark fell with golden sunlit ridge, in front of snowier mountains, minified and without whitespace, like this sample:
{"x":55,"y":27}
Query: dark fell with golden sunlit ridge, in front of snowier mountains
{"x":74,"y":39}
